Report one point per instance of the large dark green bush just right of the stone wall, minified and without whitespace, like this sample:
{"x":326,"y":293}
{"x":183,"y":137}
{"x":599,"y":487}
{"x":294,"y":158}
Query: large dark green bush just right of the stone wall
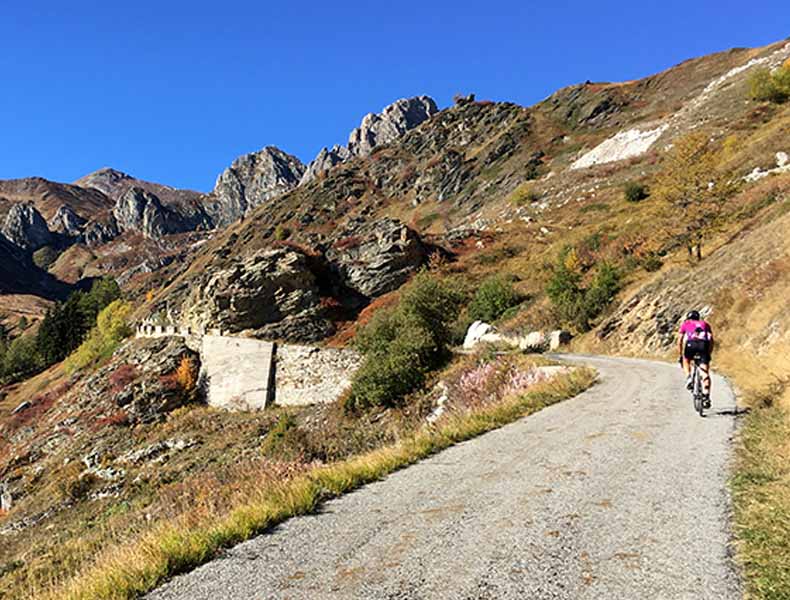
{"x":403,"y":344}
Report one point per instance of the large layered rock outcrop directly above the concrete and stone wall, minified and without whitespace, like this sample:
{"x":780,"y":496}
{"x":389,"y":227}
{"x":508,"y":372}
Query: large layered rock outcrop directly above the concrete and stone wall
{"x":272,"y":294}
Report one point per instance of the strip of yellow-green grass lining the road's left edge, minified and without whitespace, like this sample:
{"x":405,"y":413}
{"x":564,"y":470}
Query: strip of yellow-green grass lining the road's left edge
{"x":195,"y":537}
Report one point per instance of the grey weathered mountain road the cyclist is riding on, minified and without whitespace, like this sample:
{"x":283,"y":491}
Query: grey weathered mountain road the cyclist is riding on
{"x":617,"y":493}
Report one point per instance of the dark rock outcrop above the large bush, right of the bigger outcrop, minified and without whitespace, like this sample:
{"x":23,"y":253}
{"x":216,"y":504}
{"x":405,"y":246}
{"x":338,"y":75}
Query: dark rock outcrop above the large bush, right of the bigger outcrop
{"x":378,"y":257}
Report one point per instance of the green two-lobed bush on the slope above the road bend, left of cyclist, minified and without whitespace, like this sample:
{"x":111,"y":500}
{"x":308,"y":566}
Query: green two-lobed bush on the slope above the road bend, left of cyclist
{"x":574,"y":304}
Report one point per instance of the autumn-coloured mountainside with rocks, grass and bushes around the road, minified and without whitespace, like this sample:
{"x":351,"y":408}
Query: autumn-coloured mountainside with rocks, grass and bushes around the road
{"x":607,"y":209}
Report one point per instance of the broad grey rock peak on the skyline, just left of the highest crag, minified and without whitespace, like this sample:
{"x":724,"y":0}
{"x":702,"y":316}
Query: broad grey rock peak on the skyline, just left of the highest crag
{"x":251,"y":180}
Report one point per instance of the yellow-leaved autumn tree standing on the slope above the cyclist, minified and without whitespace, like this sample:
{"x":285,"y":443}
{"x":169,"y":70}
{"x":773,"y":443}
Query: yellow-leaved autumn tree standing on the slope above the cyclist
{"x":695,"y":186}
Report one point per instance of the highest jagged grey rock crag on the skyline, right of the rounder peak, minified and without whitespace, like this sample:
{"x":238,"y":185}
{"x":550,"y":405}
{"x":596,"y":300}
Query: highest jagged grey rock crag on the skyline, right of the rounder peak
{"x":375,"y":130}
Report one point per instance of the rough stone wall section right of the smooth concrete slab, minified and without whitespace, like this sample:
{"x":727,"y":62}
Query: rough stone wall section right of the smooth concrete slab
{"x":310,"y":375}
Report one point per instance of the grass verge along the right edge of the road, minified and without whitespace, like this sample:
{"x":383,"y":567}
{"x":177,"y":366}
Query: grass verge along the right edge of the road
{"x":761,"y":497}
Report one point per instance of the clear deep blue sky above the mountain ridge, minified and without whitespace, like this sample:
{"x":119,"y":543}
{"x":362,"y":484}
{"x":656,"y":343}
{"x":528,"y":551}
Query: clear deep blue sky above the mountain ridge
{"x":172,"y":91}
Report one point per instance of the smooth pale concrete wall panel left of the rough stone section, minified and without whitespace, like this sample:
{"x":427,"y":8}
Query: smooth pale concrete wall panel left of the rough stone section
{"x":237,"y":372}
